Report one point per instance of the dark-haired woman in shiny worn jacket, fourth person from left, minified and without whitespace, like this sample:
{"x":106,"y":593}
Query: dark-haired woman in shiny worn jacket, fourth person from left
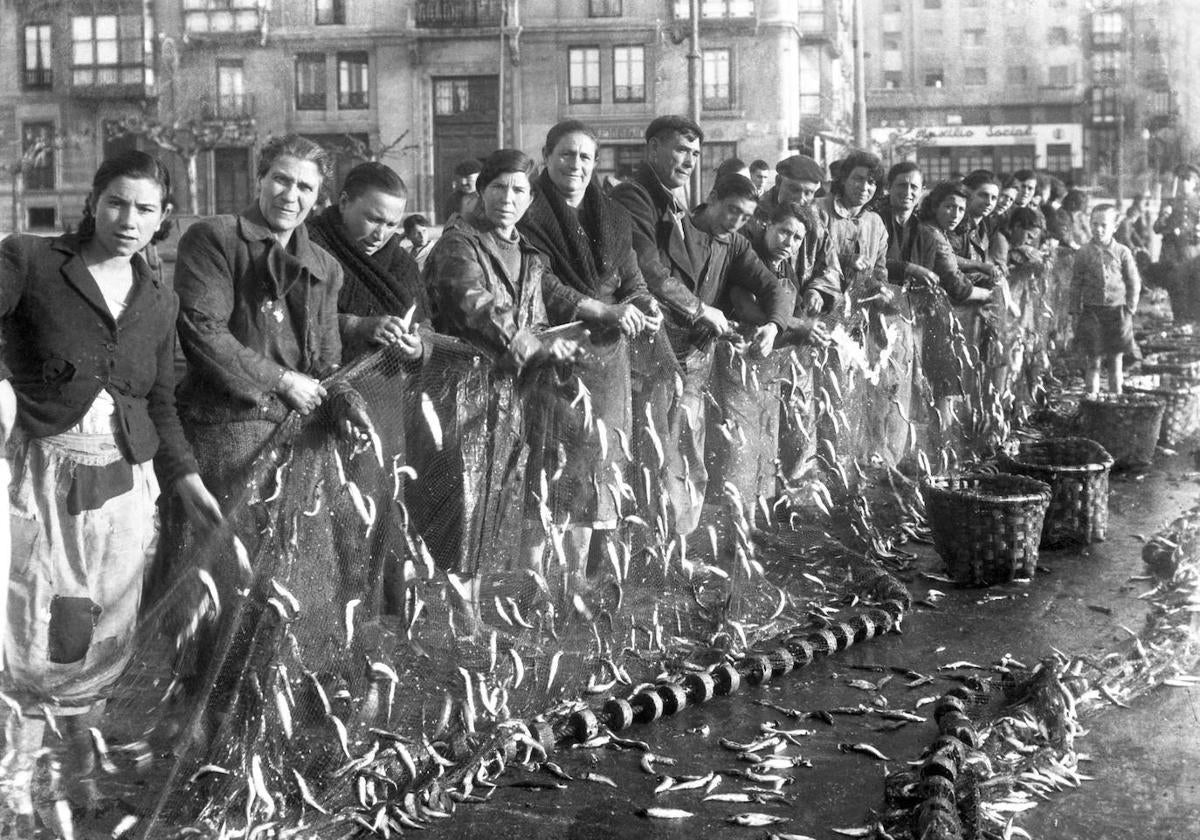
{"x":487,"y":287}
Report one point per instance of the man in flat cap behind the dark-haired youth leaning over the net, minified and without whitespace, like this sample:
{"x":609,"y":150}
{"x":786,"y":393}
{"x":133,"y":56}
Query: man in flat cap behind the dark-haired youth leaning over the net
{"x":797,"y":181}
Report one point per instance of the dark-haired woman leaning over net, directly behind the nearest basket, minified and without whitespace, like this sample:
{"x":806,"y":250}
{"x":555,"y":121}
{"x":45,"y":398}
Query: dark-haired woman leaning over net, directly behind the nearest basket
{"x":946,"y":358}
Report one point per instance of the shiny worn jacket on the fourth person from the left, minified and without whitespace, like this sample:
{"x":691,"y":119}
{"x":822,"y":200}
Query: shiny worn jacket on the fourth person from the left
{"x":478,"y":301}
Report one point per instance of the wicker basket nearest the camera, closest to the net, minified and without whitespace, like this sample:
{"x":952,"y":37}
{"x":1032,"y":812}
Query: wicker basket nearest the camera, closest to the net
{"x":987,"y":527}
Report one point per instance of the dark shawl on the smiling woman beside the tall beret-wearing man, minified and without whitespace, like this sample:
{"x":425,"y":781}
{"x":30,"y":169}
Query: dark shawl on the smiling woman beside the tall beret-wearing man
{"x":584,"y":250}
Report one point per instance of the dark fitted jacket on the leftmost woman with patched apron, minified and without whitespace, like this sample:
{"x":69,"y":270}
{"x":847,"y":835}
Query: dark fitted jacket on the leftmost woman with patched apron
{"x":62,"y":346}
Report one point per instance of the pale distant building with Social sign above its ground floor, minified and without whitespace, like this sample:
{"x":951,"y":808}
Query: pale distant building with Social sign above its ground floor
{"x":968,"y":85}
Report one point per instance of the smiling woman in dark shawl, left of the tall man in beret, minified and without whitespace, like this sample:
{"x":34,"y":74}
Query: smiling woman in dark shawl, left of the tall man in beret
{"x":593,"y":279}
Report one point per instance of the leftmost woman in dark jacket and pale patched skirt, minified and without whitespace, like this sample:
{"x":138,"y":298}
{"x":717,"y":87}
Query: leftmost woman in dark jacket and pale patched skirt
{"x":89,"y":338}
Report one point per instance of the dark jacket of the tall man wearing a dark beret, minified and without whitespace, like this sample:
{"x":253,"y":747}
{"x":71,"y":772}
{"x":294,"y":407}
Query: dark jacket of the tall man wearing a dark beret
{"x":669,"y":260}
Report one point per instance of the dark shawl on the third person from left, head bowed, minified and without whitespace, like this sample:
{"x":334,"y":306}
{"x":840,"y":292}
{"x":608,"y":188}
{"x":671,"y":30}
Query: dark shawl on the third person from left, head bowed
{"x":387,"y":283}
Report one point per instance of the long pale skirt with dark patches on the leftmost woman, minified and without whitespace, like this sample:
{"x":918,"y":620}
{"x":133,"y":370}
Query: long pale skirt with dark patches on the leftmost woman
{"x":83,"y":531}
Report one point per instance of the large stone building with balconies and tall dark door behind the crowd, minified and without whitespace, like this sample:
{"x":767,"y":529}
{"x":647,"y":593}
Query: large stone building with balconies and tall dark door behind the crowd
{"x":419,"y":85}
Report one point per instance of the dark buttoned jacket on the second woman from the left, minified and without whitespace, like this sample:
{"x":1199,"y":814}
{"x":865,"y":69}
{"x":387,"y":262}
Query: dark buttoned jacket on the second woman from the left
{"x":249,"y":311}
